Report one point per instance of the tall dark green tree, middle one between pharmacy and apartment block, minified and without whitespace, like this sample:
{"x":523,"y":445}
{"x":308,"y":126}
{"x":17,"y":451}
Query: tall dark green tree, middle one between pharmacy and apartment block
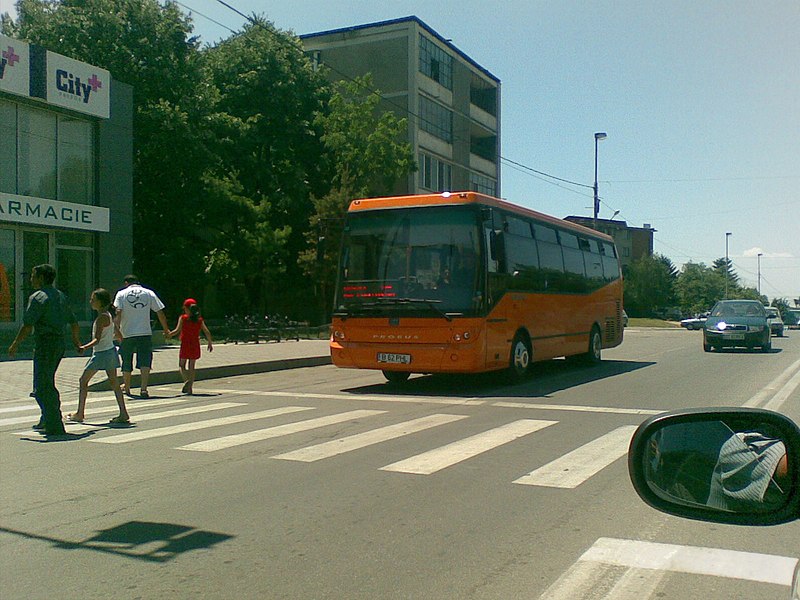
{"x":272,"y":155}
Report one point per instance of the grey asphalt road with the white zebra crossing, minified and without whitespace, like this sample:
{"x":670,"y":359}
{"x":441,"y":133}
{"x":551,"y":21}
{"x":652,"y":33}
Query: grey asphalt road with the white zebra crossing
{"x":328,"y":483}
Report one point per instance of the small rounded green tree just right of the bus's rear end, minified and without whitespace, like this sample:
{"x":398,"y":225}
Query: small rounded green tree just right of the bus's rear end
{"x":649,"y":285}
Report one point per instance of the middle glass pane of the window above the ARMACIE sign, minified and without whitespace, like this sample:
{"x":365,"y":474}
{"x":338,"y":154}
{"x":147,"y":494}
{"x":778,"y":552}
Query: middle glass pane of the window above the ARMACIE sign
{"x":37,"y":153}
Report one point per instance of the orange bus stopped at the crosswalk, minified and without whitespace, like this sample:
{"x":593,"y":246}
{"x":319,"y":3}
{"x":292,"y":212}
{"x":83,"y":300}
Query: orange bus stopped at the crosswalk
{"x":460,"y":282}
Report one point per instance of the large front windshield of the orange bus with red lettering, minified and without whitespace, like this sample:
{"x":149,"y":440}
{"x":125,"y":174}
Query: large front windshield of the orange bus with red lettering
{"x":411,"y":262}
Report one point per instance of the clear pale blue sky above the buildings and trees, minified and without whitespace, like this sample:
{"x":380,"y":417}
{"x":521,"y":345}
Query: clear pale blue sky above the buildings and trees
{"x":700,"y":100}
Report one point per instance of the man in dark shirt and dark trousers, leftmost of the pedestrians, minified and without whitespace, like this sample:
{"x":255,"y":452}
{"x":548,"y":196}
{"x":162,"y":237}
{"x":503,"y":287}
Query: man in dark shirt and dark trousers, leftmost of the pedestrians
{"x":46,"y":315}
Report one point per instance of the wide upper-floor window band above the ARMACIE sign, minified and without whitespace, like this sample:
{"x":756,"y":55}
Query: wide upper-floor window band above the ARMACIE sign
{"x":45,"y":155}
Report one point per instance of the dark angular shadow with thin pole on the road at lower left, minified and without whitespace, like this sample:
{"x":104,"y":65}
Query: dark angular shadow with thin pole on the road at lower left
{"x":140,"y":540}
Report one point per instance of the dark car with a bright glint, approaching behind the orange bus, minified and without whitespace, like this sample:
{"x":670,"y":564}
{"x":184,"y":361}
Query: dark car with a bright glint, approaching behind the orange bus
{"x":733,"y":323}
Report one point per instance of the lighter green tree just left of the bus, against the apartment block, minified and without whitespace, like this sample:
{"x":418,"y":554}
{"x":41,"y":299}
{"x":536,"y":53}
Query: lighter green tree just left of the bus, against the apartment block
{"x":367,"y":157}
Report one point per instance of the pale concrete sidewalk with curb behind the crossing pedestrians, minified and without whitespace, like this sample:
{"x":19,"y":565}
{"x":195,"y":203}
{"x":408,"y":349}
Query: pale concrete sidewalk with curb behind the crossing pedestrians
{"x":225,"y":361}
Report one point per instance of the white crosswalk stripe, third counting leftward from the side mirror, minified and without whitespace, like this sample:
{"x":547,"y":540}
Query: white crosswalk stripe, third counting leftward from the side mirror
{"x":361,"y":440}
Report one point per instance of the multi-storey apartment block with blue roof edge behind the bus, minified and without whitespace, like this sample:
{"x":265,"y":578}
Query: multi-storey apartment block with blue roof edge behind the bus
{"x":451,"y":102}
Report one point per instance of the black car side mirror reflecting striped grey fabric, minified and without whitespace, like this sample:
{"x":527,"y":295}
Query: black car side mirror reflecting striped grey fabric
{"x":725,"y":465}
